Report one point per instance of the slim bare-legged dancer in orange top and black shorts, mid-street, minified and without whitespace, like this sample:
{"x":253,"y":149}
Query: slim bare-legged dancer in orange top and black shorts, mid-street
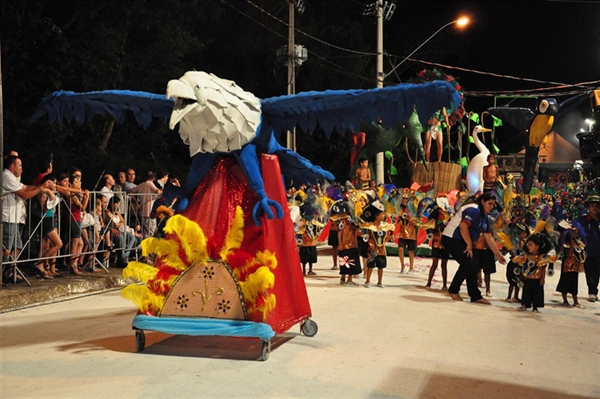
{"x":406,"y":231}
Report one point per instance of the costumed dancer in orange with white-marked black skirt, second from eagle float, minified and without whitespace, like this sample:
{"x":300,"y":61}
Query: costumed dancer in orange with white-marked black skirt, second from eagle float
{"x":347,"y":249}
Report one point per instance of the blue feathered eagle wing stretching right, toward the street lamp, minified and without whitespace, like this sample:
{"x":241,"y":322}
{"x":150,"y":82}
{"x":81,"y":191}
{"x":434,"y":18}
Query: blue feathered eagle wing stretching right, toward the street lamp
{"x":346,"y":109}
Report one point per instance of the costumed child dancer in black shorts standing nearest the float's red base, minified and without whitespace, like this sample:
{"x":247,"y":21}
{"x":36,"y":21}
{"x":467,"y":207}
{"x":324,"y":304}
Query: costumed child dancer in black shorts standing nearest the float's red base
{"x":308,"y":232}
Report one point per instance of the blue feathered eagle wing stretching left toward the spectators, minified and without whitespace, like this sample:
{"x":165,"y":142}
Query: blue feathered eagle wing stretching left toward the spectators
{"x":67,"y":106}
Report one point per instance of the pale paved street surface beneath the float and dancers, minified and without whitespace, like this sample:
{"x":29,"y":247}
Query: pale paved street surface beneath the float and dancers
{"x":401,"y":341}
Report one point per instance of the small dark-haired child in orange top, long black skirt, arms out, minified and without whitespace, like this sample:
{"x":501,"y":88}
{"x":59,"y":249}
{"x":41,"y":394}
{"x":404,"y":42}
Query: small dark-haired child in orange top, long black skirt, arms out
{"x":533,"y":270}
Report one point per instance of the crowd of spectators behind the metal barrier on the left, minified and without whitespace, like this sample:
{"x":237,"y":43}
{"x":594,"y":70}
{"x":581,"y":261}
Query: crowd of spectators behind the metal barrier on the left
{"x":54,"y":226}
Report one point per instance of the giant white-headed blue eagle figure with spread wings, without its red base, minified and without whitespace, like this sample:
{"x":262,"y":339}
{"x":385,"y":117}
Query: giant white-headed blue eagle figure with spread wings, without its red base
{"x":217,"y":118}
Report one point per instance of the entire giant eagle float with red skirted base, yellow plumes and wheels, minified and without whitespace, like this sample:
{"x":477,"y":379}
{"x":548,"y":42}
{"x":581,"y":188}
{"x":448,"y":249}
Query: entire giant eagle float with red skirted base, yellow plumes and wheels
{"x":228,"y":264}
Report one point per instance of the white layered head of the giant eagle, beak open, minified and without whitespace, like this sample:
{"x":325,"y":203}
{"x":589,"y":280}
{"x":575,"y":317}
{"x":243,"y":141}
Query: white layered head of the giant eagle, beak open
{"x":215,"y":115}
